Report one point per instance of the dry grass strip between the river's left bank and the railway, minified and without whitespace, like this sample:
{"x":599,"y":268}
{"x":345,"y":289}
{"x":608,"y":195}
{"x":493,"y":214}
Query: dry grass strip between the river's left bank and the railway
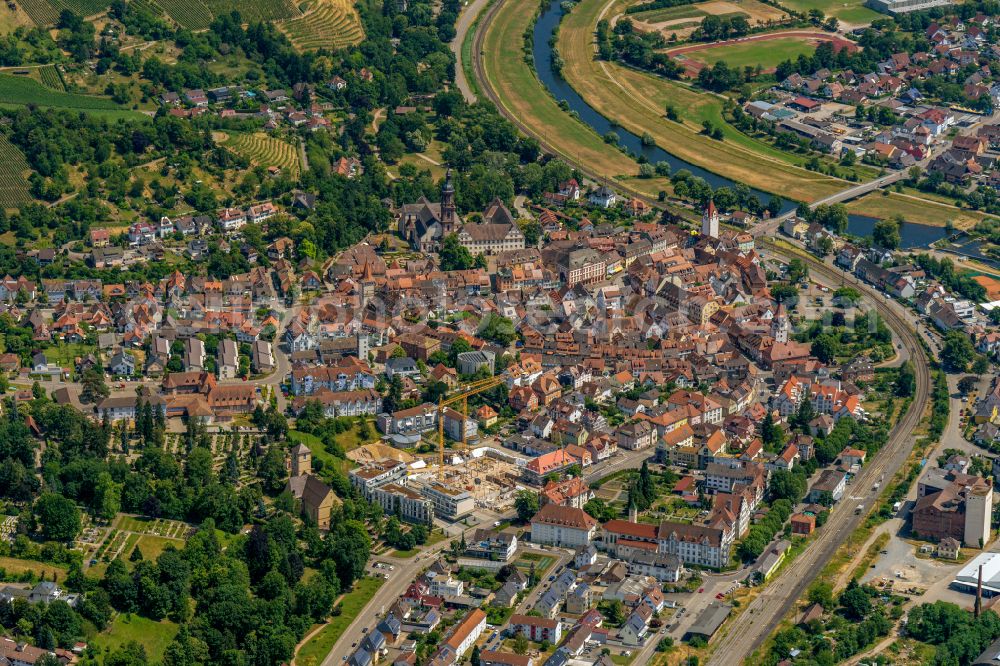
{"x":525,"y":98}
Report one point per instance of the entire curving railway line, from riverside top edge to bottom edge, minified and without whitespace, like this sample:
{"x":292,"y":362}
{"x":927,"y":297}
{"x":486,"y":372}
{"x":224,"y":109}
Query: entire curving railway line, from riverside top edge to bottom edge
{"x":750,"y":628}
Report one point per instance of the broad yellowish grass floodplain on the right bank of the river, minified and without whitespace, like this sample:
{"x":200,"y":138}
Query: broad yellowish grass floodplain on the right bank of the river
{"x":636,"y":100}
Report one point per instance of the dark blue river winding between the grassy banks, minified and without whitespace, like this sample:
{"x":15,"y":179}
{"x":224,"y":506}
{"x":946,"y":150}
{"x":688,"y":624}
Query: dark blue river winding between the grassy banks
{"x":912,"y":234}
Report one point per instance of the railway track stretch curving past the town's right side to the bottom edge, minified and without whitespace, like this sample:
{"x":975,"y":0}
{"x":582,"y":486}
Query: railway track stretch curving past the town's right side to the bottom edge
{"x":749,"y":629}
